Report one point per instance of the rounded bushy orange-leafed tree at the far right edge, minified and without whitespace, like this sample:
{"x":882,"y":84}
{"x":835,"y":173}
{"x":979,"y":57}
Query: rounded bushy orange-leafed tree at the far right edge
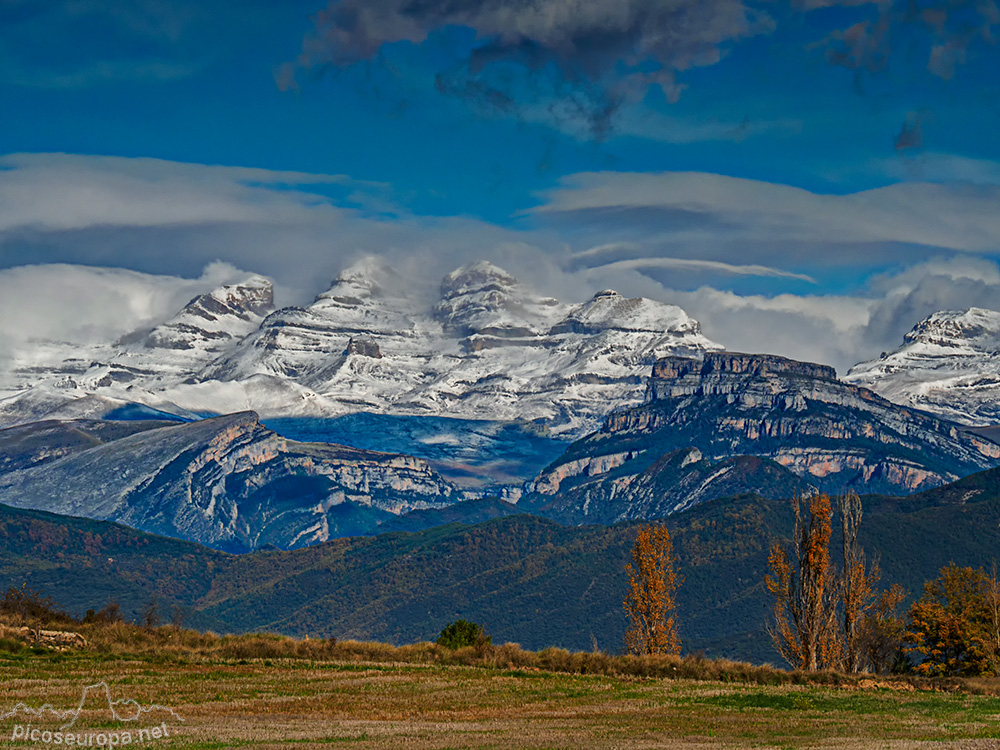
{"x":955,"y":625}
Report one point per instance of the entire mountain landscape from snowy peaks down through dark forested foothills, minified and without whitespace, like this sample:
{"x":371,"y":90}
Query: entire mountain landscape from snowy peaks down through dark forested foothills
{"x":387,"y":461}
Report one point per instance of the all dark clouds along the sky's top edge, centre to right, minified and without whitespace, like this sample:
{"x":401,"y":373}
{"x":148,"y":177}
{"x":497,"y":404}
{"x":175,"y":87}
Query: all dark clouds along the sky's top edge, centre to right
{"x":610,"y":52}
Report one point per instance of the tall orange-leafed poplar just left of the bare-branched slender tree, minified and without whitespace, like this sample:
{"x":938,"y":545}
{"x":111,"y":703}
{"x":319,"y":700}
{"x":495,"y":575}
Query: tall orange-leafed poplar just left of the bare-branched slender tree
{"x":806,"y":590}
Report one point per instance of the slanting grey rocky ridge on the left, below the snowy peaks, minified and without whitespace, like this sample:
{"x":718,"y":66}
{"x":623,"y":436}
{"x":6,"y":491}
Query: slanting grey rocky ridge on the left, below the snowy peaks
{"x":226,"y":482}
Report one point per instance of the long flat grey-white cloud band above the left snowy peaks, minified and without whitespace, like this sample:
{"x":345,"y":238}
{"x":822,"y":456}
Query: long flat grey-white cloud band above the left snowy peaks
{"x":171,"y":218}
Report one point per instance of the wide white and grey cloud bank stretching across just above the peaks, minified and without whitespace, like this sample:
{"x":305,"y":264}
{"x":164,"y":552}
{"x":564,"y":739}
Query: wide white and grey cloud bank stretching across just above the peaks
{"x":764,"y":267}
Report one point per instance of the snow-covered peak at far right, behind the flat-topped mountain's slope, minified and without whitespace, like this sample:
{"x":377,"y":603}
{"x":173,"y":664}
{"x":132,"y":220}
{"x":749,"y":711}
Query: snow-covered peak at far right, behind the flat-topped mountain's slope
{"x":949,"y":364}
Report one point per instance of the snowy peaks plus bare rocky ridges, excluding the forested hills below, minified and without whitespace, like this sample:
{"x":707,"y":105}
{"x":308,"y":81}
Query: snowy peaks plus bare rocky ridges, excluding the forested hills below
{"x":376,"y":401}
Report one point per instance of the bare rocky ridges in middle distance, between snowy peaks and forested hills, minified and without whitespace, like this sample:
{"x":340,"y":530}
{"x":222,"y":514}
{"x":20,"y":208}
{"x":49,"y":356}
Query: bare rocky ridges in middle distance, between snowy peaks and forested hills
{"x":719,"y":425}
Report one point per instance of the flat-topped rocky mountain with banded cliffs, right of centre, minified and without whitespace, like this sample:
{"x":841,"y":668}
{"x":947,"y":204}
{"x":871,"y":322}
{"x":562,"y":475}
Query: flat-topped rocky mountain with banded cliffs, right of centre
{"x":828,"y":434}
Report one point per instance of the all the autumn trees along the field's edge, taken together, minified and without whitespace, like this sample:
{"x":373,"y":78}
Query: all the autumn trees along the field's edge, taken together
{"x":829,"y":616}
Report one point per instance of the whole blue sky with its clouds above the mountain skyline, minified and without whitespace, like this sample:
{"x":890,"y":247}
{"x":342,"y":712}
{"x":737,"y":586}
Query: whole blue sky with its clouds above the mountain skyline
{"x":791,"y":162}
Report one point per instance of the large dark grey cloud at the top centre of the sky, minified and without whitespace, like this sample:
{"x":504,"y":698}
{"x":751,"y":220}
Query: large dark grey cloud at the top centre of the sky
{"x":609,"y":51}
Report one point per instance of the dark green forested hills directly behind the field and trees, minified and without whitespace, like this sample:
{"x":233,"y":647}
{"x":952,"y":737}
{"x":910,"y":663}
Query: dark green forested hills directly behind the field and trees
{"x":527,"y":579}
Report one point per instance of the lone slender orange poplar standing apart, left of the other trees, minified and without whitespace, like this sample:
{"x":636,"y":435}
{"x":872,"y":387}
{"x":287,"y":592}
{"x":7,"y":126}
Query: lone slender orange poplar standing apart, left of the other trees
{"x":651,"y":600}
